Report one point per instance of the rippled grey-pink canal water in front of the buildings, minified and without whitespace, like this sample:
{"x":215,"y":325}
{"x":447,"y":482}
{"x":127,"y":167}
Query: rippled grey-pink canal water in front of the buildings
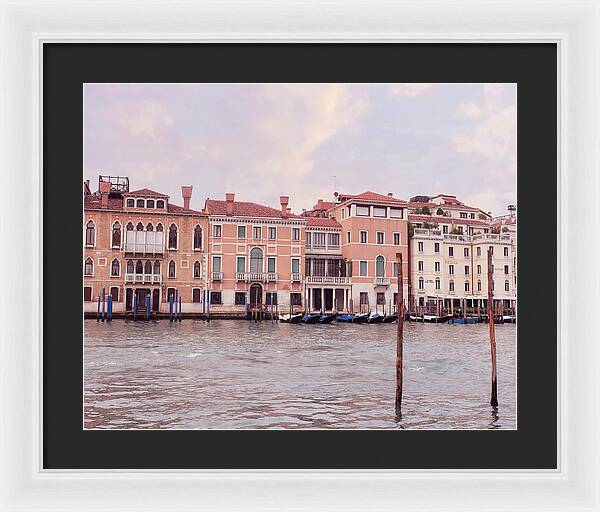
{"x":237,"y":374}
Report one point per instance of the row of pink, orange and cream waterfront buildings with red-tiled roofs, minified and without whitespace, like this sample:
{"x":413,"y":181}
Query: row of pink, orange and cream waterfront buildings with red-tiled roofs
{"x":340,"y":256}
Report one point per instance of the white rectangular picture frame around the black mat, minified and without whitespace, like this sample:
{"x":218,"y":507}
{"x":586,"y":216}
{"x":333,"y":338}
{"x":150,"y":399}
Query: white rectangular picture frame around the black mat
{"x":573,"y":25}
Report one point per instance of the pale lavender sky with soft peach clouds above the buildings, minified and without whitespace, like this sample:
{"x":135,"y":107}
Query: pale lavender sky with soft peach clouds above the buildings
{"x":306,"y":141}
